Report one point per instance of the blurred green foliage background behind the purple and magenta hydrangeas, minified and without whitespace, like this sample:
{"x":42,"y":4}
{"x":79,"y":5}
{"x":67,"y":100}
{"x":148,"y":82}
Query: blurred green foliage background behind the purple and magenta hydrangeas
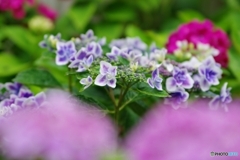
{"x":151,"y":20}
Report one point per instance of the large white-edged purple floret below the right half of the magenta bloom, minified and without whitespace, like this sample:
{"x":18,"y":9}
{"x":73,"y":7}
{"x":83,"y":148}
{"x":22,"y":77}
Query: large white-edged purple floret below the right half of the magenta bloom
{"x":209,"y":74}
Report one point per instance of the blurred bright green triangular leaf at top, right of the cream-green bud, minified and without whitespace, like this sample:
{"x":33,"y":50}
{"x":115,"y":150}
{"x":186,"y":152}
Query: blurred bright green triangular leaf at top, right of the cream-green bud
{"x":81,"y":15}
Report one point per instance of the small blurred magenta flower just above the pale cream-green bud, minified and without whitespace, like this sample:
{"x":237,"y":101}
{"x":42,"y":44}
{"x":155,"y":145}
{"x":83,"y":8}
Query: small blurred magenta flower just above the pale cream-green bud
{"x":47,"y":12}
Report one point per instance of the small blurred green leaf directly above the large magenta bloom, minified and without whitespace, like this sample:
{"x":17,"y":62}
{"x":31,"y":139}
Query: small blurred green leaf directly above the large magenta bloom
{"x":189,"y":15}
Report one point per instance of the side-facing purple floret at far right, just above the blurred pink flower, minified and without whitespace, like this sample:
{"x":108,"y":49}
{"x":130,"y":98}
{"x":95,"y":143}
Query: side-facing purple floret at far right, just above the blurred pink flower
{"x":223,"y":99}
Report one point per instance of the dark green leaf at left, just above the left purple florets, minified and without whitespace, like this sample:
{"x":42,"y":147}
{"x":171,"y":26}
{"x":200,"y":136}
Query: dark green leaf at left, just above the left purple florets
{"x":41,"y":78}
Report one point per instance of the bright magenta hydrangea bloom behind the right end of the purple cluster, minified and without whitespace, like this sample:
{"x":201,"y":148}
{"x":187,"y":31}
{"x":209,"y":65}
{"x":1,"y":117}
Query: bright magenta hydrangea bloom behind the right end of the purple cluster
{"x":202,"y":32}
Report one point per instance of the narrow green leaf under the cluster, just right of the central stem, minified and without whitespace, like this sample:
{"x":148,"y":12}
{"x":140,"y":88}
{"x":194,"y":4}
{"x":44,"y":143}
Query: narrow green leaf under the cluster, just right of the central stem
{"x":144,"y":88}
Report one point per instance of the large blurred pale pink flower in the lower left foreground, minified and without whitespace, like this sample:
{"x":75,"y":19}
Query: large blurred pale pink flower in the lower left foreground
{"x":60,"y":130}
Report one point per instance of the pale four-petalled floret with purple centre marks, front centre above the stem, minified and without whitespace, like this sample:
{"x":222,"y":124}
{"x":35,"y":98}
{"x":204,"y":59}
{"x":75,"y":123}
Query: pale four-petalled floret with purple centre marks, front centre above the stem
{"x":107,"y":75}
